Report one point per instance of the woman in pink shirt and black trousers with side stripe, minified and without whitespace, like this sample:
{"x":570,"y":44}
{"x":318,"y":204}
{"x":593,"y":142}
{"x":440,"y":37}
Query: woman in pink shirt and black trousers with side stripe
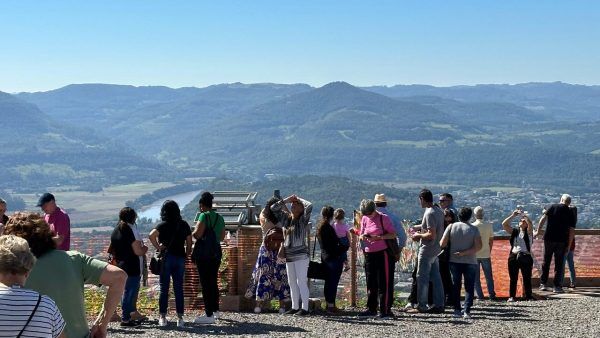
{"x":375,"y":228}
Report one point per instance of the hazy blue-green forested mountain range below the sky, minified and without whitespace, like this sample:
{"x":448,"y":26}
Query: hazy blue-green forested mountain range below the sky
{"x":536,"y":134}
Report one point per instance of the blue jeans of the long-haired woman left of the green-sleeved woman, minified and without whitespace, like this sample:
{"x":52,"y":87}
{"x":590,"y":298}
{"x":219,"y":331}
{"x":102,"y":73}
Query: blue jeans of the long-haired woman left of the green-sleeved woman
{"x":174,"y":266}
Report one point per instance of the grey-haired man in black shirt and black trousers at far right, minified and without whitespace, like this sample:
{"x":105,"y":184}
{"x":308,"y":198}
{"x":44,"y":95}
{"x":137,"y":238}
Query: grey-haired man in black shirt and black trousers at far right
{"x":557,"y":240}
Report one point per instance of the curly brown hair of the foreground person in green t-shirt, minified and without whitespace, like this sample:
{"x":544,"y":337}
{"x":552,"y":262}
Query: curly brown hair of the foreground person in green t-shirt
{"x":33,"y":228}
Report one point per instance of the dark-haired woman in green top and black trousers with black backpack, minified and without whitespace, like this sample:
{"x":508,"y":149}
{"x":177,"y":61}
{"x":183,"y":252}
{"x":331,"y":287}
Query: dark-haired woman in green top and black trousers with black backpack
{"x":207,"y":254}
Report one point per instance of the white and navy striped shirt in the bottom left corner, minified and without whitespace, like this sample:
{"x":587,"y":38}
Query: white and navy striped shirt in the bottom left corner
{"x":16,"y":305}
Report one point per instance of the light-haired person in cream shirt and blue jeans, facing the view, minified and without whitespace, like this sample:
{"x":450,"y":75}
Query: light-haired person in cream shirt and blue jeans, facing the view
{"x":486,"y":230}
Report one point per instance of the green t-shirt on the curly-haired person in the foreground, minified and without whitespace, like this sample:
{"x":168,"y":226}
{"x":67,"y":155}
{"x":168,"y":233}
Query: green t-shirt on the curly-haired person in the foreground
{"x":61,"y":275}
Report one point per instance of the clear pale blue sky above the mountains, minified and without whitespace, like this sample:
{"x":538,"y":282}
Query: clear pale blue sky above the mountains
{"x":49,"y":44}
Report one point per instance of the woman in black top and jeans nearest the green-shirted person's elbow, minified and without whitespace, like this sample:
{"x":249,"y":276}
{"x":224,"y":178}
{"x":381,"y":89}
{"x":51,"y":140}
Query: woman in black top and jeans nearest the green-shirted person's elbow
{"x":126,"y":250}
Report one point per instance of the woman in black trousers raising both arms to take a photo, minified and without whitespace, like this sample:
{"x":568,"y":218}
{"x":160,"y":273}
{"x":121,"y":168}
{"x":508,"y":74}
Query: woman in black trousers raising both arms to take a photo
{"x":520,"y":253}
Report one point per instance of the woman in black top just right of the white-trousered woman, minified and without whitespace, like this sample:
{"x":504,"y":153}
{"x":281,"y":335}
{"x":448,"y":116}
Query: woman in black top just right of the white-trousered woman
{"x":332,"y":255}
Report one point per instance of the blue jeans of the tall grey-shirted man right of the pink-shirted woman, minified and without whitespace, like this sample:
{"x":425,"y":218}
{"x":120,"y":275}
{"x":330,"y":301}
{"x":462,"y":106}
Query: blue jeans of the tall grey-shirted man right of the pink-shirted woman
{"x":429,"y":271}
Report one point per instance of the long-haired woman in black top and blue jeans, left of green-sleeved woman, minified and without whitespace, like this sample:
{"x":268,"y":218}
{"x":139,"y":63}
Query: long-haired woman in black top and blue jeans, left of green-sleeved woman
{"x":173,"y":237}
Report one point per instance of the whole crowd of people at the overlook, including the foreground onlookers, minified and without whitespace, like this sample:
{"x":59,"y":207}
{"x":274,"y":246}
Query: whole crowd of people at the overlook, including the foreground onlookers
{"x":40,"y":273}
